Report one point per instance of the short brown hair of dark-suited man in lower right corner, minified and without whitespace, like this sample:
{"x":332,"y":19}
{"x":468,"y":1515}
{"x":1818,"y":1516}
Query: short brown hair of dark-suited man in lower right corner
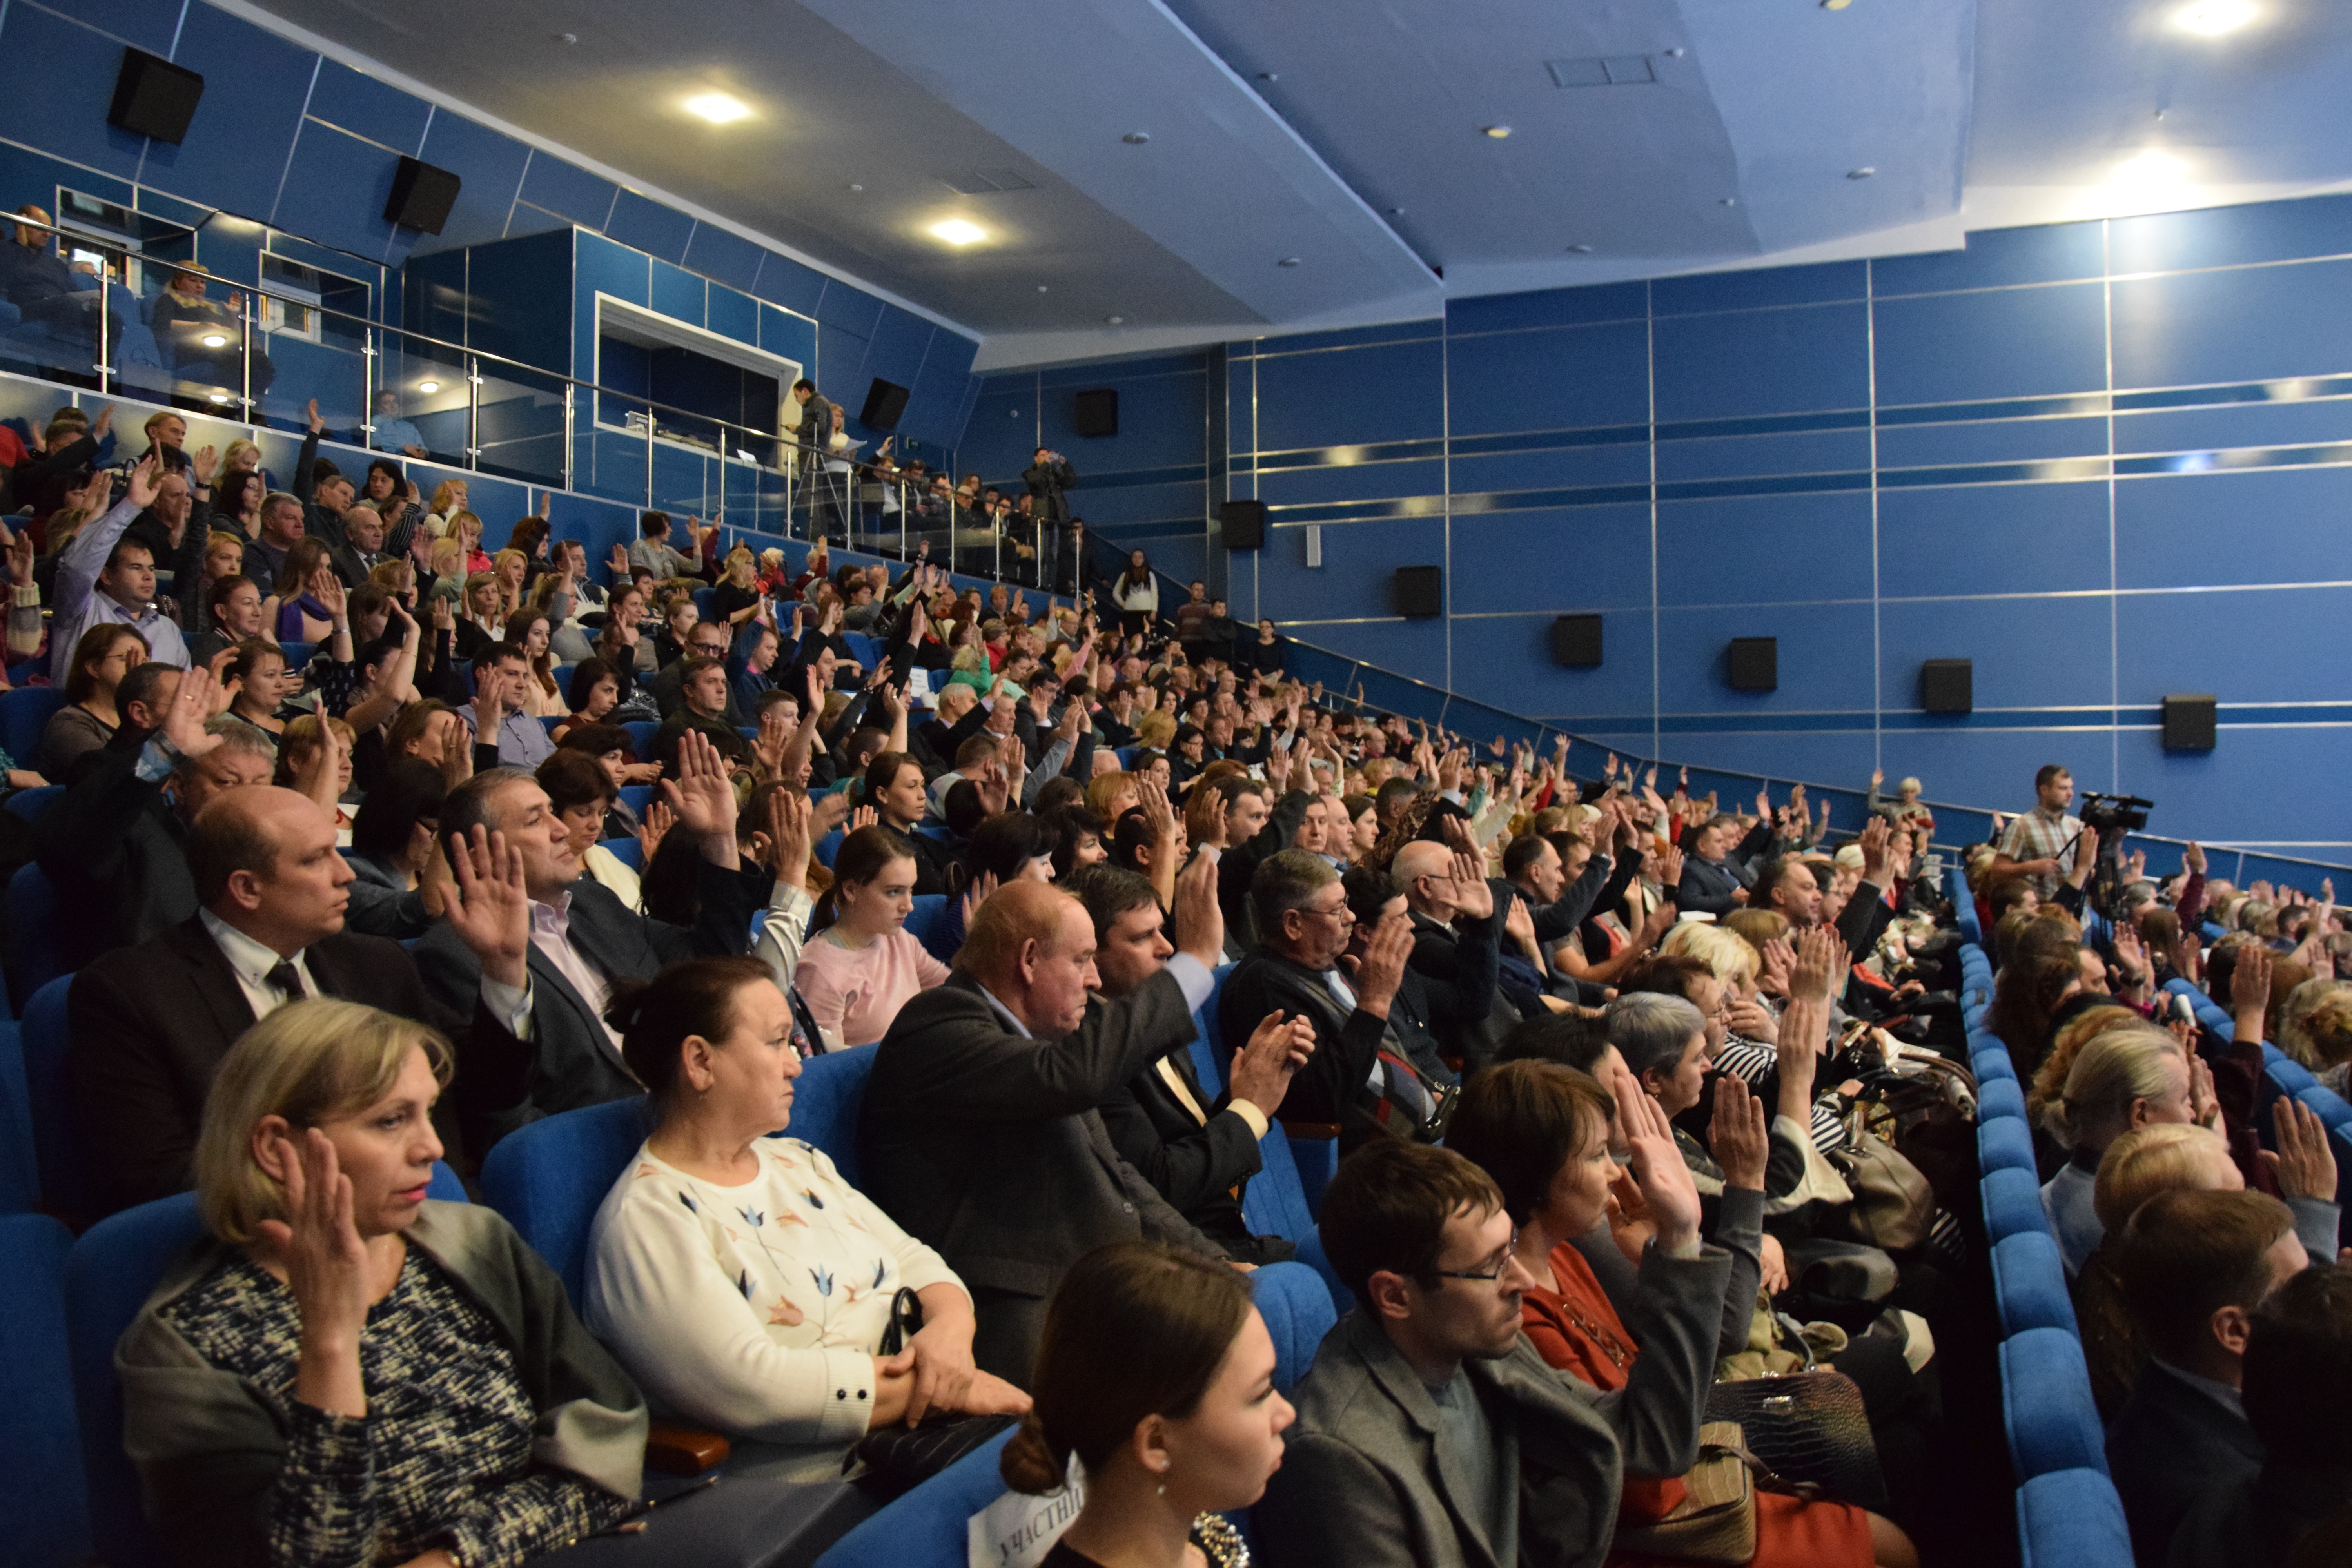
{"x":2191,"y":1254}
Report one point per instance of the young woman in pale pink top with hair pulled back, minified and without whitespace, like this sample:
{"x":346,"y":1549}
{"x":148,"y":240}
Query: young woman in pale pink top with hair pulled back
{"x":862,"y":965}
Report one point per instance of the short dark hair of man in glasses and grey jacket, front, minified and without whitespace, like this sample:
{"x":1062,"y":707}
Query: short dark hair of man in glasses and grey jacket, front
{"x":1389,"y":1205}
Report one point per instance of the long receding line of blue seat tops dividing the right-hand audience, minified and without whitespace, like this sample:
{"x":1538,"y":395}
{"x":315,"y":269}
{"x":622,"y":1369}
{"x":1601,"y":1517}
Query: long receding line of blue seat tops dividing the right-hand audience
{"x":2069,"y":1510}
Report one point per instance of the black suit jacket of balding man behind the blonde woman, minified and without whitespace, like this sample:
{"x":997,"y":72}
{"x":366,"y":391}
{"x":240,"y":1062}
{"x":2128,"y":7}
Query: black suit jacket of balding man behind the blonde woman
{"x":152,"y":1026}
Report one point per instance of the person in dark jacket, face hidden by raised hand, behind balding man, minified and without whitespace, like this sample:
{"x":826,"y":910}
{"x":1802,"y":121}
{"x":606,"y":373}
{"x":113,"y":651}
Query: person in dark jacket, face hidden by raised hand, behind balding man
{"x":116,"y":843}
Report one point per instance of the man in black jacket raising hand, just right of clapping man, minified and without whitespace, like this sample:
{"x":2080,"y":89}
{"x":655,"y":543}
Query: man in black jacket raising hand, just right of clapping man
{"x":1361,"y":1076}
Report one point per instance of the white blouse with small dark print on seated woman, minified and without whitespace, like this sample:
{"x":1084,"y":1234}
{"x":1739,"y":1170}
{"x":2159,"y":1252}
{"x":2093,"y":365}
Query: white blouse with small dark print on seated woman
{"x":754,"y":1311}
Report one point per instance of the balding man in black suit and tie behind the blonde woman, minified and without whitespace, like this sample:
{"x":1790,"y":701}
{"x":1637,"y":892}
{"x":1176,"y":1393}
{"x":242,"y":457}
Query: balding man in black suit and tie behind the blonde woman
{"x":152,"y":1024}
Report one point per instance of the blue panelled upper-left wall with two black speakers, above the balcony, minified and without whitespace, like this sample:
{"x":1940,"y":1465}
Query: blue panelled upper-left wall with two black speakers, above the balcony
{"x":305,"y":147}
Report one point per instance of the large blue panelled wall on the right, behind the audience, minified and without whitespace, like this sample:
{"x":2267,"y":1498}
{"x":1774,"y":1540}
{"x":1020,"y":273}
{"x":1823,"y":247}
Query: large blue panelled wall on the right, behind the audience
{"x":2102,"y":460}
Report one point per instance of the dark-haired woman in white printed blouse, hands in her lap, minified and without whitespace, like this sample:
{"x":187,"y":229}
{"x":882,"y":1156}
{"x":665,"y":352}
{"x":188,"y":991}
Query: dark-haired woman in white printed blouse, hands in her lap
{"x":733,"y":1325}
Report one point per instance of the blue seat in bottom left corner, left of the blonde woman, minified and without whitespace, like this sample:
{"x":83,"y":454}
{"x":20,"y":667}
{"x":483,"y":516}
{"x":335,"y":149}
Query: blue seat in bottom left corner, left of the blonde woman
{"x":41,"y":1454}
